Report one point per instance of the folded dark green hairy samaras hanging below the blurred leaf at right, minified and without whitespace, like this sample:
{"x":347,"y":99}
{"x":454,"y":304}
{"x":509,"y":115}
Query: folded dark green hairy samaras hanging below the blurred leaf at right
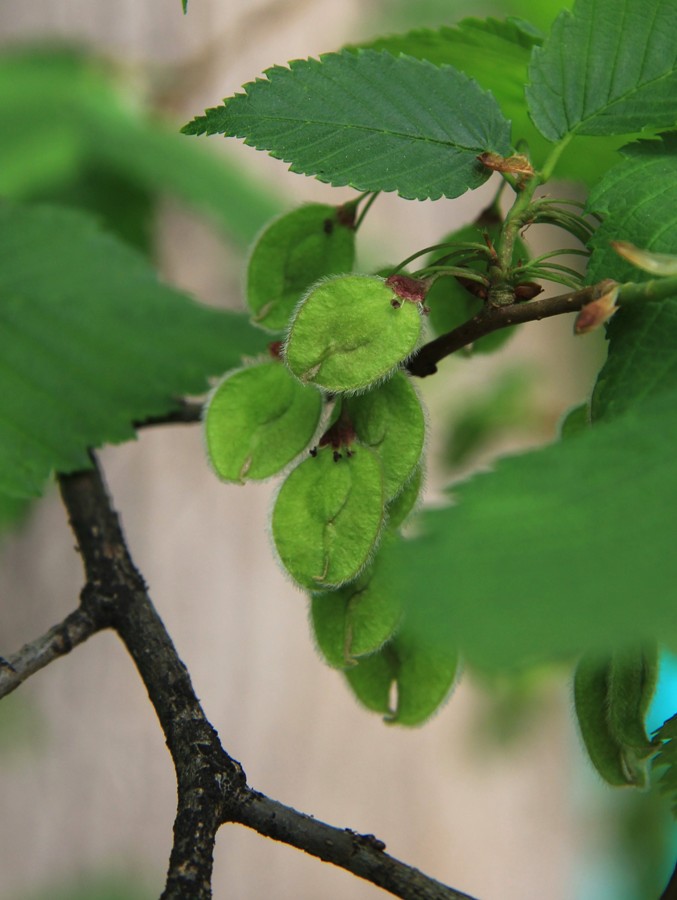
{"x":612,"y":695}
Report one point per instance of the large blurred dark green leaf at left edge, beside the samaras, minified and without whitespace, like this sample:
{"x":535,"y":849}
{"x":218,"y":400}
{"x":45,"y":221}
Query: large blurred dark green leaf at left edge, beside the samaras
{"x":91,"y":341}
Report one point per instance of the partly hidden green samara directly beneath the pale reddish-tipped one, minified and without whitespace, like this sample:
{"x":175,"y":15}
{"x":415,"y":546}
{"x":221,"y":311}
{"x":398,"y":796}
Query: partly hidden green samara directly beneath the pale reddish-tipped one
{"x":390,"y":421}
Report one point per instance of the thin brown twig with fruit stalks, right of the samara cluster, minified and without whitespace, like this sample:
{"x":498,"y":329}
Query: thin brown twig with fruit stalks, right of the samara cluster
{"x":491,"y":318}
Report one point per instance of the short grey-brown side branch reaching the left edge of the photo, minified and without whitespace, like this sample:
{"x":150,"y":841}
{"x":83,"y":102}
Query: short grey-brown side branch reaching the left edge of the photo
{"x":58,"y":641}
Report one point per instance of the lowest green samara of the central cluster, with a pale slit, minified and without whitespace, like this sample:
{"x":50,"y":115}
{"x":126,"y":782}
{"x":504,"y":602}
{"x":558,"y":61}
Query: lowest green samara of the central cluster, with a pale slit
{"x":422,"y":675}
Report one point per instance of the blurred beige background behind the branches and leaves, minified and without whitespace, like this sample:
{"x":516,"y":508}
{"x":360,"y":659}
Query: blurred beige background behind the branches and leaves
{"x":97,"y":791}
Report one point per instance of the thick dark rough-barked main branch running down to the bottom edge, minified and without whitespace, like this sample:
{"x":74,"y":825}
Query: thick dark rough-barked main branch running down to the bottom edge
{"x":206,"y":776}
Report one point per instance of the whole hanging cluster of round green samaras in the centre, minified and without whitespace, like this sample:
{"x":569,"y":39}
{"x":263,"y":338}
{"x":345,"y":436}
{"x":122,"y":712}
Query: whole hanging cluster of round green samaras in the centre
{"x":333,"y":408}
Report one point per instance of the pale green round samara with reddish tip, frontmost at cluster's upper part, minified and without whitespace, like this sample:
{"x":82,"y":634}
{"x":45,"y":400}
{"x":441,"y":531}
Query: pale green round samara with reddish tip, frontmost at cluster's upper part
{"x":346,"y":334}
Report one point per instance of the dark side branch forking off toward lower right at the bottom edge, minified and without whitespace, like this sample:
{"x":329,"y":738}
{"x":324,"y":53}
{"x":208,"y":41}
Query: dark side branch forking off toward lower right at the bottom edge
{"x":361,"y":854}
